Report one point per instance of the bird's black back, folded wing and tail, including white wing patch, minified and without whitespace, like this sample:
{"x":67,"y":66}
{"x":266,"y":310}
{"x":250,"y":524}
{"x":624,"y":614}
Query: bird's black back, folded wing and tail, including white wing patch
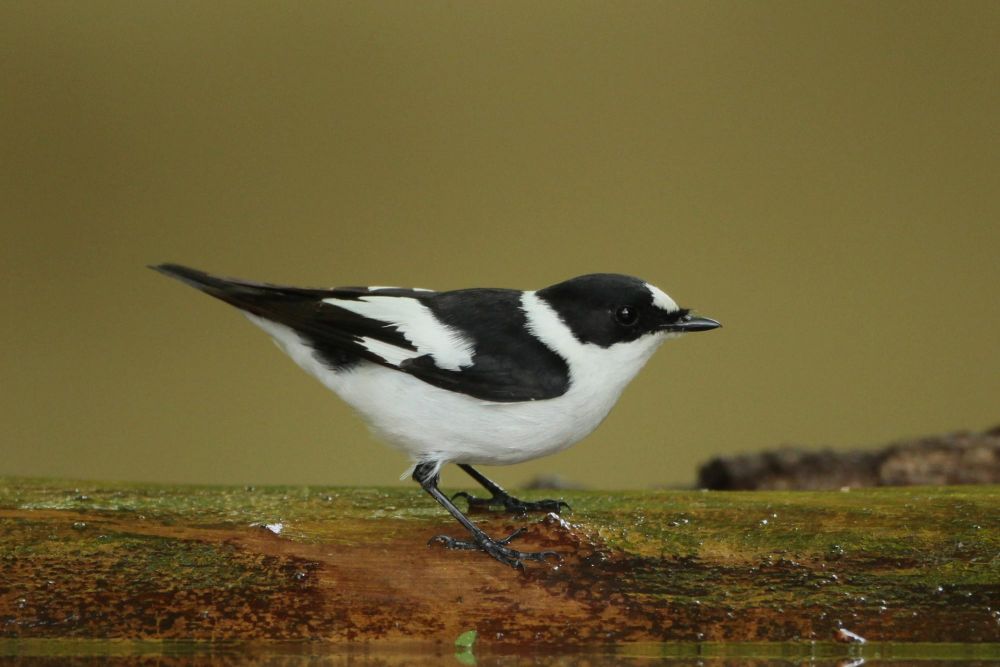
{"x":468,"y":341}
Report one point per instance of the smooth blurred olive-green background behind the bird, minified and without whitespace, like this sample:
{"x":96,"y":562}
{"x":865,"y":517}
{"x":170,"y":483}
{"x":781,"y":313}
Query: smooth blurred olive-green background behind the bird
{"x":822,"y":177}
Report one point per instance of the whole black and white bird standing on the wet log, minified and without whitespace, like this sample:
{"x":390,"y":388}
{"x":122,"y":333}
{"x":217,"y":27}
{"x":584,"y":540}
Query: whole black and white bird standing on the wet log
{"x":472,"y":376}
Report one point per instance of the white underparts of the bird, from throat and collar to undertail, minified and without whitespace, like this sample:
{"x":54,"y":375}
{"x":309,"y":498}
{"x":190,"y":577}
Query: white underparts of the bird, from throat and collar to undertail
{"x":433,"y":424}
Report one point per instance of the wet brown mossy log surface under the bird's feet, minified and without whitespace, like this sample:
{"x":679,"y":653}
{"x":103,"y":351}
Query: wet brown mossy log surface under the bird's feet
{"x":96,"y":560}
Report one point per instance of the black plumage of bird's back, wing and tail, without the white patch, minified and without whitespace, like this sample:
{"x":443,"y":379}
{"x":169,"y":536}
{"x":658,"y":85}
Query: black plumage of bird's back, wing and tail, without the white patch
{"x":508,"y":364}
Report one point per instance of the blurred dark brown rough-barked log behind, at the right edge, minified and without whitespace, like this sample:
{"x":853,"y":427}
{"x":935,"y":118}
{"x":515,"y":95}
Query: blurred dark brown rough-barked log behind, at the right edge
{"x":955,"y":458}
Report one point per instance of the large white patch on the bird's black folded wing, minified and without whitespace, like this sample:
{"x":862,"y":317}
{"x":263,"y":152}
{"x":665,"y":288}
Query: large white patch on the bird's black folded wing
{"x":449,"y":348}
